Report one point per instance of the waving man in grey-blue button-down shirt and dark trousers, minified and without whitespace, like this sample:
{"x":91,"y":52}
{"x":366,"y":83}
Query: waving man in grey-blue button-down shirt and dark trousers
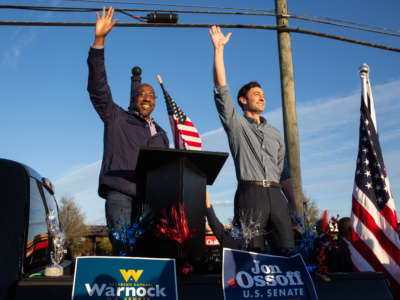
{"x":258,"y":151}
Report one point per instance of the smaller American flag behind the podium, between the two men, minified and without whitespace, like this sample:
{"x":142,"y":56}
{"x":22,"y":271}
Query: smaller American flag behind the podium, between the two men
{"x":184,"y":132}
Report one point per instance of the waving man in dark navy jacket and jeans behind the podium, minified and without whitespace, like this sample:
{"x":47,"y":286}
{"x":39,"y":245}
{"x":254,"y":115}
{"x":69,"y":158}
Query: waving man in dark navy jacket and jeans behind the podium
{"x":124,"y":133}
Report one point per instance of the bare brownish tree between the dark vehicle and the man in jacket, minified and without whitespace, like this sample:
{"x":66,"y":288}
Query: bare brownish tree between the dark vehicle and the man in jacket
{"x":73,"y":224}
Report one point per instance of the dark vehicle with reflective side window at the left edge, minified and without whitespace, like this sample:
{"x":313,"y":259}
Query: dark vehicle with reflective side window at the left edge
{"x":27,"y":201}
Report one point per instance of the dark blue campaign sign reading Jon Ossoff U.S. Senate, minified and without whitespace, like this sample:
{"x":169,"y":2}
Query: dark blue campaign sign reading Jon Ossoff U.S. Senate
{"x":248,"y":275}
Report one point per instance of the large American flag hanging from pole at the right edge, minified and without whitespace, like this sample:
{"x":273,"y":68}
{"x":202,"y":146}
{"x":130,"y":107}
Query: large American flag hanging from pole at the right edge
{"x":375,"y":244}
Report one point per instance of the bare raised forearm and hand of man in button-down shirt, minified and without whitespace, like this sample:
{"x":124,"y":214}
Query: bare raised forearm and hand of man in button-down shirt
{"x":219,"y":41}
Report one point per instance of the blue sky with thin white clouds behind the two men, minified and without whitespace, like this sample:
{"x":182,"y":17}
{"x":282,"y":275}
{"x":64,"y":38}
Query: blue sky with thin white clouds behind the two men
{"x":48,"y":122}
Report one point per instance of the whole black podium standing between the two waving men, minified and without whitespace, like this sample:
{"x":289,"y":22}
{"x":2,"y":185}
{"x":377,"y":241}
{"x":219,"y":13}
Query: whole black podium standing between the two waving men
{"x":175,"y":177}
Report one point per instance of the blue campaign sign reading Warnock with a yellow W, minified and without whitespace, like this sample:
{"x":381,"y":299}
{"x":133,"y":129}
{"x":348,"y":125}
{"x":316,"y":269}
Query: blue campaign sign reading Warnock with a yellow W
{"x":127,"y":278}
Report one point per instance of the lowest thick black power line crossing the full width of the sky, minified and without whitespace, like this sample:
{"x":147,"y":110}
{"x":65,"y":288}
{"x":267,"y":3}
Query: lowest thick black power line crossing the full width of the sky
{"x":265,"y":27}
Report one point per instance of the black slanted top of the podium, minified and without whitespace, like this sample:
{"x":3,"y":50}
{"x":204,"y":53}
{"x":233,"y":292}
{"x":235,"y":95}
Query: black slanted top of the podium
{"x":210,"y":163}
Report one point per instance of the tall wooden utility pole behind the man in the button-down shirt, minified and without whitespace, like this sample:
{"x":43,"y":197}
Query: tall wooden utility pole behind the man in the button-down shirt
{"x":288,"y":101}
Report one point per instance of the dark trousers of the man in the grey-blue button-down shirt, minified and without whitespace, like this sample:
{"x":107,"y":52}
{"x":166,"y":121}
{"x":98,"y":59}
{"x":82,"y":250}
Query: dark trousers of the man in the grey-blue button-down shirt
{"x":259,"y":209}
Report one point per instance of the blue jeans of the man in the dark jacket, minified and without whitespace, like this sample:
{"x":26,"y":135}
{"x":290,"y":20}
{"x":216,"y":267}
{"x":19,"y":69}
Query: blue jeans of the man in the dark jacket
{"x":121,"y":211}
